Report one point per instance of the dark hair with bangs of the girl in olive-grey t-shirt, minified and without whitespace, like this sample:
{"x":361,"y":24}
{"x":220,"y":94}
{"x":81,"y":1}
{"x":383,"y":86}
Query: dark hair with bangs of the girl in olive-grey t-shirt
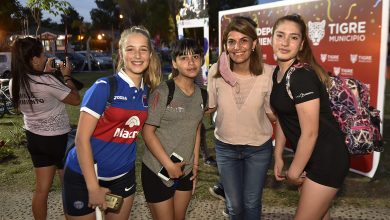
{"x":184,"y":47}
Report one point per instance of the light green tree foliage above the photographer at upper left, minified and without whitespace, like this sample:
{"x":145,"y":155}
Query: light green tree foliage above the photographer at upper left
{"x":54,"y":7}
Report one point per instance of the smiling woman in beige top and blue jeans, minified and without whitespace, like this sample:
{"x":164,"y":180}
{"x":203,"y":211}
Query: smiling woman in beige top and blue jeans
{"x":243,"y":129}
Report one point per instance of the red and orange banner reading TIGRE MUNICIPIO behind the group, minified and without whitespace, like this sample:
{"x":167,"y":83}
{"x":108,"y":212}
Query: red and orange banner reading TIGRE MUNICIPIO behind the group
{"x":348,"y":38}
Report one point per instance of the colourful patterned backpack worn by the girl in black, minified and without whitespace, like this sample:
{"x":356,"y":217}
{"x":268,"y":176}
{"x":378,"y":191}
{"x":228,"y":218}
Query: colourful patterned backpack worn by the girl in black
{"x":350,"y":104}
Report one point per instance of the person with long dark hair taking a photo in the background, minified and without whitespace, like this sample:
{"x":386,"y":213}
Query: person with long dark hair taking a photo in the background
{"x":41,"y":98}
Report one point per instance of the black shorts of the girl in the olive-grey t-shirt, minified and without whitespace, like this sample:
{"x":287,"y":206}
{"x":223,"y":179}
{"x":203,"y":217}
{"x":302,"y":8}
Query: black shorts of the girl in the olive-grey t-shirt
{"x":156,"y":191}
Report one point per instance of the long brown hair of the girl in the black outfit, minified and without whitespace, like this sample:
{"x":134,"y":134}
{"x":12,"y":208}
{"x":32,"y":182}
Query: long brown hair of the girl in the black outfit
{"x":305,"y":55}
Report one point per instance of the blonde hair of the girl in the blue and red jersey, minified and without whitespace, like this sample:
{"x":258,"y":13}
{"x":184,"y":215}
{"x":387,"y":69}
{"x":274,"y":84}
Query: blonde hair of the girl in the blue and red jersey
{"x":152,"y":75}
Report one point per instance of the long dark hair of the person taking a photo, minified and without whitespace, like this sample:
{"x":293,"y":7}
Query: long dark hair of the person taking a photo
{"x":23,"y":50}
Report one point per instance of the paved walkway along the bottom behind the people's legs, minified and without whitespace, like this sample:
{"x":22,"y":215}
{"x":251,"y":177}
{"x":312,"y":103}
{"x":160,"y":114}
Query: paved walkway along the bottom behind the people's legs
{"x":17,"y":205}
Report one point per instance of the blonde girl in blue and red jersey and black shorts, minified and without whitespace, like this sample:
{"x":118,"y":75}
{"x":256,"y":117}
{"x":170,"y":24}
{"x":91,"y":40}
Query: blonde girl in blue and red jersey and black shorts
{"x":107,"y":135}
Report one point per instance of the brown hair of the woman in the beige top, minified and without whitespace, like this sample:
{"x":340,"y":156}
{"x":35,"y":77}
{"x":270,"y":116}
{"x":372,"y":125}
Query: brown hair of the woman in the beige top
{"x":245,"y":26}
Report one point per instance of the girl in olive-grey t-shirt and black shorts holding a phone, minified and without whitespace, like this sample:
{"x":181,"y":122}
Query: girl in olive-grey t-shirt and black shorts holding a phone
{"x":174,"y":128}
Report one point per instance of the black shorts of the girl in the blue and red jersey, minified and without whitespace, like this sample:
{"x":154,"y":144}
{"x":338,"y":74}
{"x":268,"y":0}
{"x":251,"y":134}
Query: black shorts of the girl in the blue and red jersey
{"x":75,"y":193}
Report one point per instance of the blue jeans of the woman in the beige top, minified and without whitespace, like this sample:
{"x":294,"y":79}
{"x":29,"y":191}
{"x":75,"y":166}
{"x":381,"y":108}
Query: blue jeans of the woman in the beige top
{"x":243,"y":170}
